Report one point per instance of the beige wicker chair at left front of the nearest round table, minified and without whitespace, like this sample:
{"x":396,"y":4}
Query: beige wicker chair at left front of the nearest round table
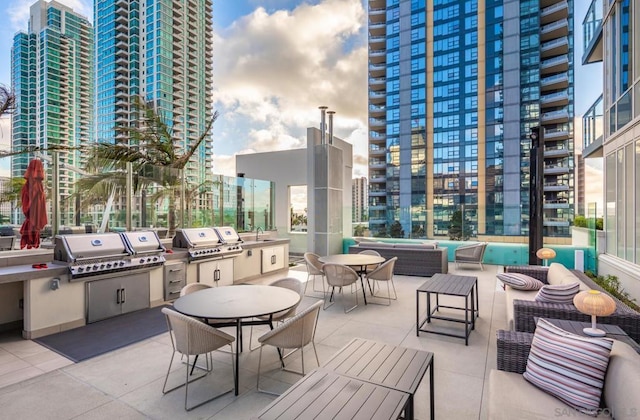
{"x":191,"y":337}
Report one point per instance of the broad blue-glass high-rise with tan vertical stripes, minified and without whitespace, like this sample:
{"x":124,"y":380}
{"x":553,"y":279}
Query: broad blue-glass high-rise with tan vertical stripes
{"x":455,"y":87}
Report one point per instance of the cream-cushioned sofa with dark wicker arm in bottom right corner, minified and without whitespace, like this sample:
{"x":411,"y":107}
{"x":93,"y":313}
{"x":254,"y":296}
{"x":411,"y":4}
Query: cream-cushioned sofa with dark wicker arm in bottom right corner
{"x":511,"y":396}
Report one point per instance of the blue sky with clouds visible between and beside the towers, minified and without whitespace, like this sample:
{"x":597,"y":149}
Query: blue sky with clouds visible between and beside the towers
{"x":275,"y":63}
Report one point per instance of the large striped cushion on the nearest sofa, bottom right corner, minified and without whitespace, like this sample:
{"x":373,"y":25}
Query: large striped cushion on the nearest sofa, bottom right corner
{"x":570,"y":367}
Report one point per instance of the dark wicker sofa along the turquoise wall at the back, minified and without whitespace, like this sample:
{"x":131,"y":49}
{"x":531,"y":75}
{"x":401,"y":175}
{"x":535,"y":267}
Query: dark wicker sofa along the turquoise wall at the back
{"x":413,"y":259}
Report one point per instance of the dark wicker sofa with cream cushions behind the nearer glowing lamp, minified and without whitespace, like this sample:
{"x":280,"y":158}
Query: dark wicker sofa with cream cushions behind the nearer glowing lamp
{"x":522,"y":309}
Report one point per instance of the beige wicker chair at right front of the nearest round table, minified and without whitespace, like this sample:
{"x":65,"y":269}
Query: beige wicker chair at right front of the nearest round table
{"x":294,"y":334}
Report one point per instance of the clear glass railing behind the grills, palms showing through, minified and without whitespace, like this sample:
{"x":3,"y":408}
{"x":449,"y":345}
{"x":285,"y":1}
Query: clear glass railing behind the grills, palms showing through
{"x":76,"y":196}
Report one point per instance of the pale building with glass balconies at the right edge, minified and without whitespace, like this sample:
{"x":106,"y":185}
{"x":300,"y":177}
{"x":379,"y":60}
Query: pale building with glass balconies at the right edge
{"x":612,"y":132}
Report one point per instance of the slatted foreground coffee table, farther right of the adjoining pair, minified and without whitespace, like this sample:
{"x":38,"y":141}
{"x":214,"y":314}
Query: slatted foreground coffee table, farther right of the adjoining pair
{"x":394,"y":367}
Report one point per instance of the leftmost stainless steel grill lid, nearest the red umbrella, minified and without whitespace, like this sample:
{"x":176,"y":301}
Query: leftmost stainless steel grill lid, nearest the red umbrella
{"x":71,"y":248}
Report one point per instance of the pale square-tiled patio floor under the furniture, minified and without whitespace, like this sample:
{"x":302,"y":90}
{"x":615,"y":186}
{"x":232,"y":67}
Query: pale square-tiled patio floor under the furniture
{"x":127,"y":383}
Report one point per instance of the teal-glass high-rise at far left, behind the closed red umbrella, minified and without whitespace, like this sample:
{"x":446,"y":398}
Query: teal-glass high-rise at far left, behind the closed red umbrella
{"x":52,"y":77}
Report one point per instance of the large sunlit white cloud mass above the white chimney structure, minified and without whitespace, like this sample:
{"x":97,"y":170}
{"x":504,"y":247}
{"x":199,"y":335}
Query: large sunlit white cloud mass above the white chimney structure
{"x":273,"y":70}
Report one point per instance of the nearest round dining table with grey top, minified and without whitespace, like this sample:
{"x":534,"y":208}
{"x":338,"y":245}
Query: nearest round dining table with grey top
{"x":238,"y":305}
